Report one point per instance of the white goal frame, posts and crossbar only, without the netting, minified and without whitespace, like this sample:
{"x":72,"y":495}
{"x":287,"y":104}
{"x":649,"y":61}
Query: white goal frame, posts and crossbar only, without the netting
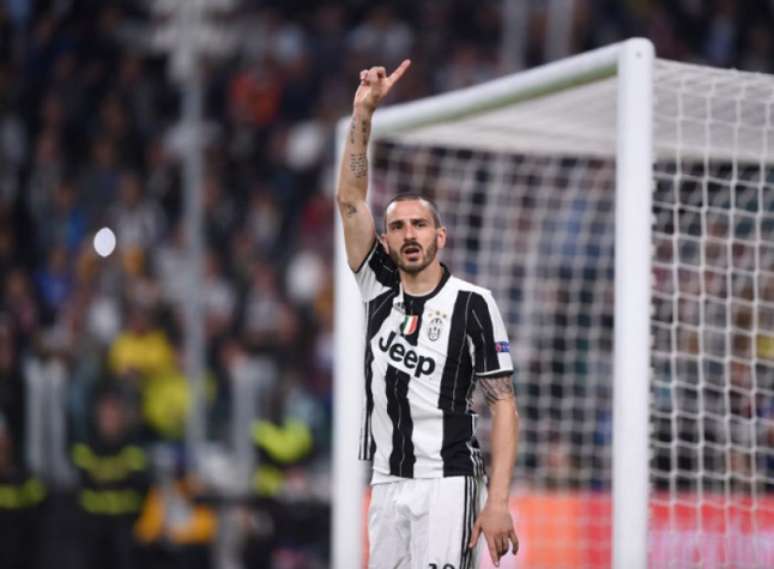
{"x":632,"y":63}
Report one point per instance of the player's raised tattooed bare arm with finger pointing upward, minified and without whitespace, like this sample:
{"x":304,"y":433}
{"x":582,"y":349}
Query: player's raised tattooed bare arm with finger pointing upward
{"x":359,"y":227}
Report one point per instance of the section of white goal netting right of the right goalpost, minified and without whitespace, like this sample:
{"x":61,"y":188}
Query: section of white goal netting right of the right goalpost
{"x":712,"y":402}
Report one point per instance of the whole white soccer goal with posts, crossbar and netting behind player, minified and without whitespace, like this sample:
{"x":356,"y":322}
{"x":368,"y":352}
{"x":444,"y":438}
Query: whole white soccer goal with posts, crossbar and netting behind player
{"x":621,"y":209}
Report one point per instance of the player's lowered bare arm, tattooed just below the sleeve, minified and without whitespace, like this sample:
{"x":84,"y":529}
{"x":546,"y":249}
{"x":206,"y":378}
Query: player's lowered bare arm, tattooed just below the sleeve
{"x":495,"y":521}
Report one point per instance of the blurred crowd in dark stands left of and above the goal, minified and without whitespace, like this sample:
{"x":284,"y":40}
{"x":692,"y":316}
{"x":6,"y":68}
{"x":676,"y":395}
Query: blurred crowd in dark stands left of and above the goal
{"x":87,"y":139}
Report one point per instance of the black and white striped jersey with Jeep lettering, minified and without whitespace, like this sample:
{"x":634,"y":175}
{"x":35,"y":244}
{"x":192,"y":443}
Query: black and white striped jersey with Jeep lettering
{"x":422,"y":358}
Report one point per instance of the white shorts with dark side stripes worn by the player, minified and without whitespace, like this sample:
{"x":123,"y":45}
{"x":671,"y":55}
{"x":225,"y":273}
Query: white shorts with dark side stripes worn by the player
{"x":425,"y":523}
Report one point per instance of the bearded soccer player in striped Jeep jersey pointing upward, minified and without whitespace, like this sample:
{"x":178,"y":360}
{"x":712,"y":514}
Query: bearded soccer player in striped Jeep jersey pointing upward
{"x":431,"y":338}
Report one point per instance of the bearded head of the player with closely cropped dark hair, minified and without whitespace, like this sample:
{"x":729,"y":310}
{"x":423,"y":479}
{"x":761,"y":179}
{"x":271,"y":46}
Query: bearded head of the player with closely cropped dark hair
{"x":412,"y":238}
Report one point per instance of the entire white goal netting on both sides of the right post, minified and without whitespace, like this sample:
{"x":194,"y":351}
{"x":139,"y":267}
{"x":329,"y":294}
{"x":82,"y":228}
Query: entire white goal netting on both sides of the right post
{"x":535,"y":226}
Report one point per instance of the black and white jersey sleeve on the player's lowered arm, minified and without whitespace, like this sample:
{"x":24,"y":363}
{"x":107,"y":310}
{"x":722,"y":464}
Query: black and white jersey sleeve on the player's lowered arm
{"x":486,"y":330}
